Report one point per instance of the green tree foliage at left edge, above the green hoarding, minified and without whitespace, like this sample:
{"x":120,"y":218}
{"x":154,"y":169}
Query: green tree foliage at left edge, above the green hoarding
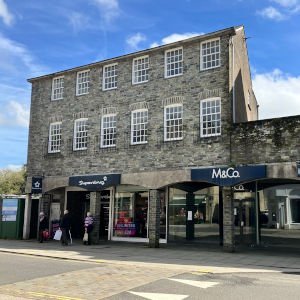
{"x":12,"y":182}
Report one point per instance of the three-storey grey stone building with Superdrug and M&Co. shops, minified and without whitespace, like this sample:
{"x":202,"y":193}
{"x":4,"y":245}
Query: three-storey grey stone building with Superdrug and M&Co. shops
{"x":156,"y":144}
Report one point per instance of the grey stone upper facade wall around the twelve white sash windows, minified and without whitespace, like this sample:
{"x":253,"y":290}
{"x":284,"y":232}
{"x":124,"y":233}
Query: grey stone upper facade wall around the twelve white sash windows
{"x":192,"y":151}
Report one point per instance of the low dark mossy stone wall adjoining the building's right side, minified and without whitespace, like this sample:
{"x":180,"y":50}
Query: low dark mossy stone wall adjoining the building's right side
{"x":266,"y":141}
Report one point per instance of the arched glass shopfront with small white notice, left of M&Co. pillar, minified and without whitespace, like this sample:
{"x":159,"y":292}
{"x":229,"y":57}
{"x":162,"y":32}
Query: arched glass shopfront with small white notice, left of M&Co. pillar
{"x":195,"y":213}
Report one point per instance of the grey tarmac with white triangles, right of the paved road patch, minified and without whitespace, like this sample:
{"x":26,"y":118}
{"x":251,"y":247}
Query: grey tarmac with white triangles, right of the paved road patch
{"x":237,"y":286}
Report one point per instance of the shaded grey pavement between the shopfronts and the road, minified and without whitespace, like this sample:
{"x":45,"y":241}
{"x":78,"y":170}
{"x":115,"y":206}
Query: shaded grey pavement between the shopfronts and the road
{"x":184,"y":257}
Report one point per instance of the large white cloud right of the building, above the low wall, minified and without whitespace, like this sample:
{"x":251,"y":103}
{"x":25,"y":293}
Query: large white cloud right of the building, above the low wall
{"x":277,"y":94}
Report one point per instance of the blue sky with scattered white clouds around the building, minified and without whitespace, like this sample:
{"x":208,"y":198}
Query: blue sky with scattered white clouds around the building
{"x":39,"y":37}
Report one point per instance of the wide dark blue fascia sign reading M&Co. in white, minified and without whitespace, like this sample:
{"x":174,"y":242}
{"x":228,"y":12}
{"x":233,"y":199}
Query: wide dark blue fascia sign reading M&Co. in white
{"x":229,"y":176}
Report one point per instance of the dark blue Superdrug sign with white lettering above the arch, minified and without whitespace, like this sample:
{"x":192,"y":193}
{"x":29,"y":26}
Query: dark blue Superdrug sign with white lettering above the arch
{"x":94,"y":182}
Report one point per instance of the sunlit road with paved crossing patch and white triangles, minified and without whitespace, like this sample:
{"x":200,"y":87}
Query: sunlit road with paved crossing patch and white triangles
{"x":32,"y":277}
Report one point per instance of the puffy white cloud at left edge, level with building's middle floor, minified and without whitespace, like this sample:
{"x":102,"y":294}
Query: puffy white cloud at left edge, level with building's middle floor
{"x":14,"y":114}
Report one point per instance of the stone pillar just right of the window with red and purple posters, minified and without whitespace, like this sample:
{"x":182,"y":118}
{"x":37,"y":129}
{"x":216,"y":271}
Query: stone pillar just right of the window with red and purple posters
{"x":154,"y":218}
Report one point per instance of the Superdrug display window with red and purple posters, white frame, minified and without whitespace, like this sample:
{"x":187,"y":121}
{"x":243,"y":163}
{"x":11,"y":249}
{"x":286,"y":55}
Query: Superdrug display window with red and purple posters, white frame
{"x":131,"y":212}
